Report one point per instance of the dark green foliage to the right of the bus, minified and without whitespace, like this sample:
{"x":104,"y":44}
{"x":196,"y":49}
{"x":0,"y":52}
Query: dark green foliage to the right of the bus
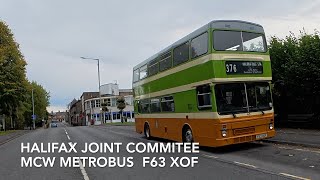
{"x":296,"y":62}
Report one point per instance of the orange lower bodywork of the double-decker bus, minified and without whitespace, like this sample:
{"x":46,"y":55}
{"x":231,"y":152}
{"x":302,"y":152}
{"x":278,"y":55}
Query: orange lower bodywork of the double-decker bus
{"x":208,"y":131}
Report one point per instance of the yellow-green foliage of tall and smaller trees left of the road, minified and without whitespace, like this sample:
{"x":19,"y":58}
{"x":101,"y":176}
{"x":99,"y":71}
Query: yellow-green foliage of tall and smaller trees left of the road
{"x":15,"y":89}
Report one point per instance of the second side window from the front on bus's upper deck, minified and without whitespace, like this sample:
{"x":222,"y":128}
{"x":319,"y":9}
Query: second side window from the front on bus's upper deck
{"x":181,"y":54}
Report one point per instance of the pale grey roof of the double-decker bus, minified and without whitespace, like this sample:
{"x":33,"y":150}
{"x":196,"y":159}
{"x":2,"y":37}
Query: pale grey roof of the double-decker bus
{"x":215,"y":24}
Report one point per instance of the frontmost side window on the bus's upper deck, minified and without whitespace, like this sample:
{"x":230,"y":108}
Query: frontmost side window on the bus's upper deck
{"x":199,"y":45}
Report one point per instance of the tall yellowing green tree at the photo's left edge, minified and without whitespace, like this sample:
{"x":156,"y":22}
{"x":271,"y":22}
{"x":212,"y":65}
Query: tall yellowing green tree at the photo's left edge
{"x":13,"y":81}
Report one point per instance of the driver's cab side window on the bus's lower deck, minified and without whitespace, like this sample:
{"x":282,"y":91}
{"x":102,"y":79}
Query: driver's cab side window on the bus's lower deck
{"x":204,"y":97}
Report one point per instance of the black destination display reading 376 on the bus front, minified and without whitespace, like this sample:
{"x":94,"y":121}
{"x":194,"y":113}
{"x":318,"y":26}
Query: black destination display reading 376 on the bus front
{"x":244,"y":67}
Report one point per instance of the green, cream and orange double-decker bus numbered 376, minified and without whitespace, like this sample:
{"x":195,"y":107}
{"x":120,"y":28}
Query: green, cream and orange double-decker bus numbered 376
{"x":213,"y":87}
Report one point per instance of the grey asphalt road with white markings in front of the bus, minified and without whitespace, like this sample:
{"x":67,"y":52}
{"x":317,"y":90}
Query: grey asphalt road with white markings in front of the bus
{"x":246,"y":161}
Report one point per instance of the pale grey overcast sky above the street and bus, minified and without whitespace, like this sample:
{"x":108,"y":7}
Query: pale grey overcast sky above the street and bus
{"x":54,"y":34}
